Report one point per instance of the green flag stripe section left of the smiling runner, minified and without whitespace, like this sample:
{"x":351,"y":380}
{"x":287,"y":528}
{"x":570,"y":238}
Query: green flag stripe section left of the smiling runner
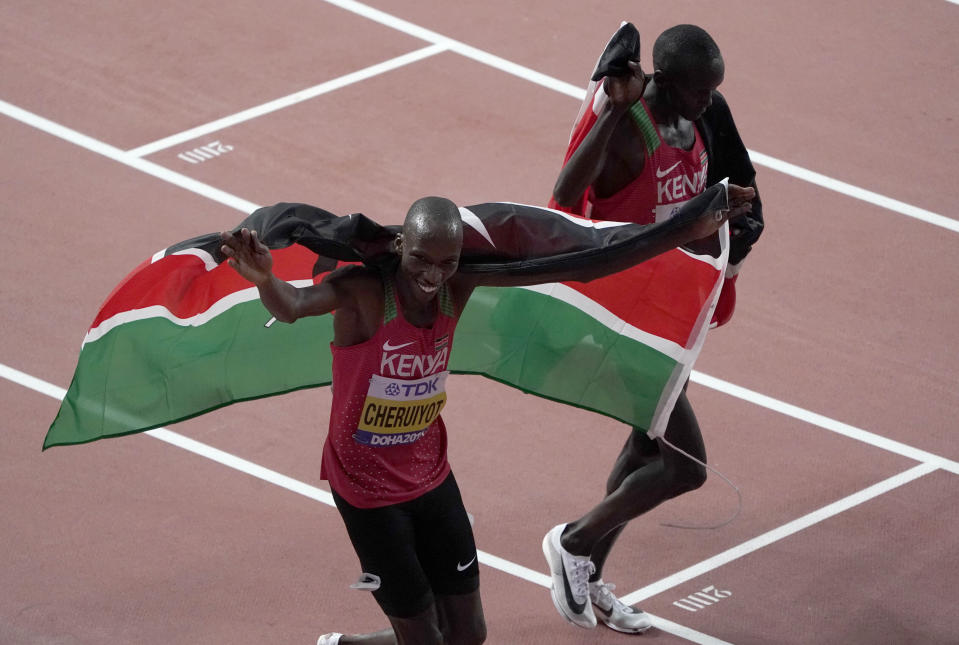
{"x":152,"y":372}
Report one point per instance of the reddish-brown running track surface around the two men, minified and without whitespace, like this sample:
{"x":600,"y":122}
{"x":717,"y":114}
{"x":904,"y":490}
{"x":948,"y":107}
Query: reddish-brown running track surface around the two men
{"x":847,"y":309}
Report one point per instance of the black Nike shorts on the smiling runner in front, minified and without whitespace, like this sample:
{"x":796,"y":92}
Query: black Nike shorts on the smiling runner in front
{"x":418,"y":549}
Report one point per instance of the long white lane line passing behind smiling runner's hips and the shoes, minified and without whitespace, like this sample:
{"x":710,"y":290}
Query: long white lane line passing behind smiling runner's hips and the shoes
{"x":318,"y":494}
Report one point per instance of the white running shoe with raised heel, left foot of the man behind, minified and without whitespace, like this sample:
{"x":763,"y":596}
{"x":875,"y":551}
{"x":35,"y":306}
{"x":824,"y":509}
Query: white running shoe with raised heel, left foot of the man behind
{"x":570,"y":588}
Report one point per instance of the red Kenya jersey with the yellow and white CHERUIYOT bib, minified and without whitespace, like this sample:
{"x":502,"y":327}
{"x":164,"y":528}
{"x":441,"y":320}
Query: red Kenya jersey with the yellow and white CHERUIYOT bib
{"x":387,"y":441}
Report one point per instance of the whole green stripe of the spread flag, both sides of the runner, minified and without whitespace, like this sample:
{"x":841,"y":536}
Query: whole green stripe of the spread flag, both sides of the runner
{"x":152,"y":372}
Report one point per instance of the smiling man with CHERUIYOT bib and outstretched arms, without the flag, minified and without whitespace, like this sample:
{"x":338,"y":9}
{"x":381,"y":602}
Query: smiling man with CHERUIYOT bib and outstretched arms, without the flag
{"x":386,"y":453}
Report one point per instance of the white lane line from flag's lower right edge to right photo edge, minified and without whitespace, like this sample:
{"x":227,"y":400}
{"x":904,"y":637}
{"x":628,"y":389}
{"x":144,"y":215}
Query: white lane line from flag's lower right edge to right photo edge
{"x":824,"y":422}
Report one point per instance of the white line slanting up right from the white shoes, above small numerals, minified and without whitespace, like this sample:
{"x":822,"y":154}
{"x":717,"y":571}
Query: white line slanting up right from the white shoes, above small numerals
{"x":777,"y":534}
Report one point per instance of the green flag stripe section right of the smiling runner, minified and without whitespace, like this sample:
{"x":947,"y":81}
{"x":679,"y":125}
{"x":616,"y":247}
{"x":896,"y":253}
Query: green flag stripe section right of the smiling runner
{"x":550,"y":348}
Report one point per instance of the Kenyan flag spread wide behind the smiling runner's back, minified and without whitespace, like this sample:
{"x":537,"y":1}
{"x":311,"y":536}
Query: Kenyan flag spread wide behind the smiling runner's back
{"x":183,"y":334}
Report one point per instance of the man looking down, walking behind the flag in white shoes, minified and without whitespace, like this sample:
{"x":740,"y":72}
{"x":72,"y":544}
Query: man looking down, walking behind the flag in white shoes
{"x":652,"y":143}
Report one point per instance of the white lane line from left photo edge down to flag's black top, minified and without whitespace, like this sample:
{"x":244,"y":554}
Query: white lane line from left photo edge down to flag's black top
{"x":148,"y":167}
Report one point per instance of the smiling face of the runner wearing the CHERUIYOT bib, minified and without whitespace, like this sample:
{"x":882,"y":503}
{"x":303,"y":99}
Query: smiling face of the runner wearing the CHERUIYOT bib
{"x":428,"y":261}
